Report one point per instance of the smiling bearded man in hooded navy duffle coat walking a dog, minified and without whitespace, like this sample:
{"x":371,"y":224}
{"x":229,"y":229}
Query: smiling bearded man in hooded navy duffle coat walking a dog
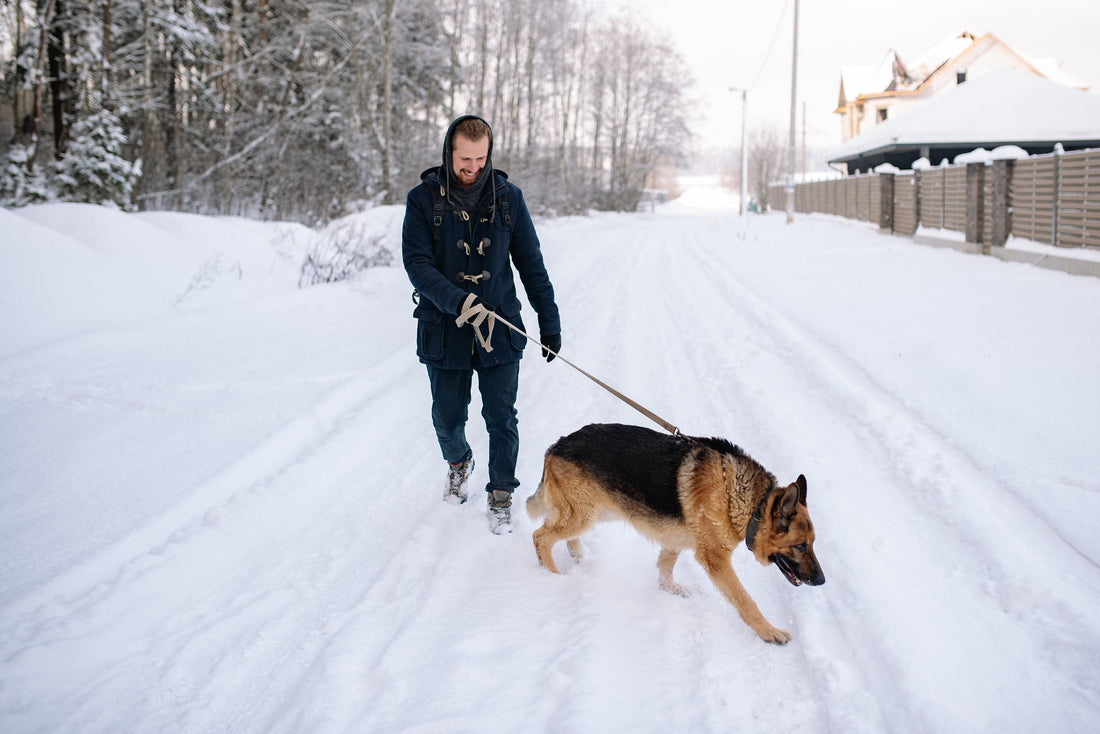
{"x":463,"y":225}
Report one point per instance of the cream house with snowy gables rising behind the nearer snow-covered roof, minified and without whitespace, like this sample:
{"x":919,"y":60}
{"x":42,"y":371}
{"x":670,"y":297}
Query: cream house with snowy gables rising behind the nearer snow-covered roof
{"x":873,"y":95}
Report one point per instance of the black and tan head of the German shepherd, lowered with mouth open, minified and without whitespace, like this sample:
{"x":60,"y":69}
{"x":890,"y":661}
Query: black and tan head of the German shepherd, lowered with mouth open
{"x":788,"y":540}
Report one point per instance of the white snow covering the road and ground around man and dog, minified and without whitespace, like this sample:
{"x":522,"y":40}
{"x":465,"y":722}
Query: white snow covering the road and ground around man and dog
{"x":222,"y":497}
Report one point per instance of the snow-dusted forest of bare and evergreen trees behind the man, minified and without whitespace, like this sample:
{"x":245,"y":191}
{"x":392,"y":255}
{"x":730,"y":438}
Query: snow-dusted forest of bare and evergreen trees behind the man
{"x":309,"y":111}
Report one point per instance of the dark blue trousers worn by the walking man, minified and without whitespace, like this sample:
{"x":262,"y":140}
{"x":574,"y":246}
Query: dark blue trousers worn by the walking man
{"x":450,"y":403}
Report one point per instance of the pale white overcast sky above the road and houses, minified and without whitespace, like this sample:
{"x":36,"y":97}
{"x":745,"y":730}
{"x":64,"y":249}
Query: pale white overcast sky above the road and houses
{"x":725,"y":43}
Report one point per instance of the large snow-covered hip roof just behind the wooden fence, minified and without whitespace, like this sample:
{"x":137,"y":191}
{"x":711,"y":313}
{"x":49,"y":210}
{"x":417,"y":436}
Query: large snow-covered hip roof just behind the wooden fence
{"x":1002,"y":108}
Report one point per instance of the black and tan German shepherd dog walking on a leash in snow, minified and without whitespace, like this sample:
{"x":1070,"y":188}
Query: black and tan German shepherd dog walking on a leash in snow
{"x":683,"y":492}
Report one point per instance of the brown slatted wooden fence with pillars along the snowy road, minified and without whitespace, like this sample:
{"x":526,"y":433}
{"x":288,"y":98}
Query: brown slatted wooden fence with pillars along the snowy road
{"x":1053,"y":199}
